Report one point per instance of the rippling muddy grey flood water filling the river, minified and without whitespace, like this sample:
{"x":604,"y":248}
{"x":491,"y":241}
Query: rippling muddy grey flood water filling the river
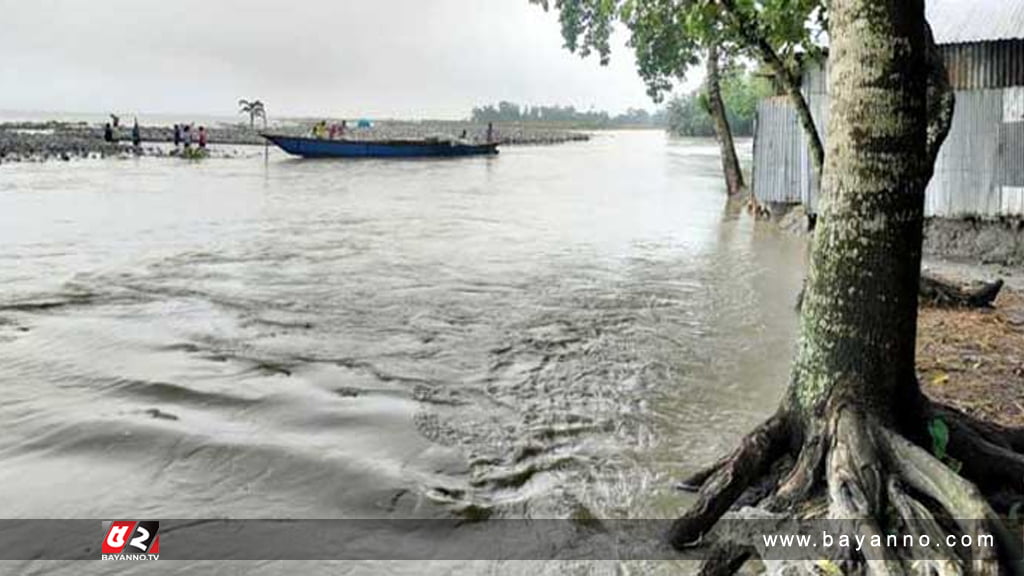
{"x":554,"y":332}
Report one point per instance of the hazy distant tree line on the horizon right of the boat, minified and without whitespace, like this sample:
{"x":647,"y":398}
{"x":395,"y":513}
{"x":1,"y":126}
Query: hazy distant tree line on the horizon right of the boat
{"x":568,"y":115}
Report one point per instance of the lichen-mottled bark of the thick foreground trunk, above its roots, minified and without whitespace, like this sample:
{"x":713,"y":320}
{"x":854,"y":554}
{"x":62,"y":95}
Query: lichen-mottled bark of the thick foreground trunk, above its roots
{"x":859,"y":325}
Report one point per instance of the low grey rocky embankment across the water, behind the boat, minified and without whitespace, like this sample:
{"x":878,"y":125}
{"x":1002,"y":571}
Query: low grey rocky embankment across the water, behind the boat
{"x":62,"y":141}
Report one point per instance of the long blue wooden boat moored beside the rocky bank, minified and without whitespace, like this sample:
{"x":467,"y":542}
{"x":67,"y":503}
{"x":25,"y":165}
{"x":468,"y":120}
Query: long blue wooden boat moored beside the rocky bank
{"x":321,"y":148}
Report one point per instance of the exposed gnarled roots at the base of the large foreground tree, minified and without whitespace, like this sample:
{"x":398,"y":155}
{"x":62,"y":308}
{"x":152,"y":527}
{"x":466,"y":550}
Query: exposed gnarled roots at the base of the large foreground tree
{"x":877,"y":483}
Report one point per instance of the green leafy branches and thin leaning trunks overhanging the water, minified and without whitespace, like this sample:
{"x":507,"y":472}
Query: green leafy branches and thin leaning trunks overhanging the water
{"x":670,"y":37}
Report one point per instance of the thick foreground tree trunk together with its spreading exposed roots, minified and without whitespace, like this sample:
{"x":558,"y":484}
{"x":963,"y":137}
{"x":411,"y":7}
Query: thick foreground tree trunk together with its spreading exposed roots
{"x":855,"y":438}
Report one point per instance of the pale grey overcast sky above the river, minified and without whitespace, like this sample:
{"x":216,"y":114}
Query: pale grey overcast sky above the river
{"x":343,"y":58}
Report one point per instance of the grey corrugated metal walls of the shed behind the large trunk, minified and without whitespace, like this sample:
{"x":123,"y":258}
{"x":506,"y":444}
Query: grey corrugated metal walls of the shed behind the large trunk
{"x":979,"y":173}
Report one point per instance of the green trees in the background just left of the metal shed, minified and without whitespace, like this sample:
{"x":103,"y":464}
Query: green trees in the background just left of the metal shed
{"x":688,"y":114}
